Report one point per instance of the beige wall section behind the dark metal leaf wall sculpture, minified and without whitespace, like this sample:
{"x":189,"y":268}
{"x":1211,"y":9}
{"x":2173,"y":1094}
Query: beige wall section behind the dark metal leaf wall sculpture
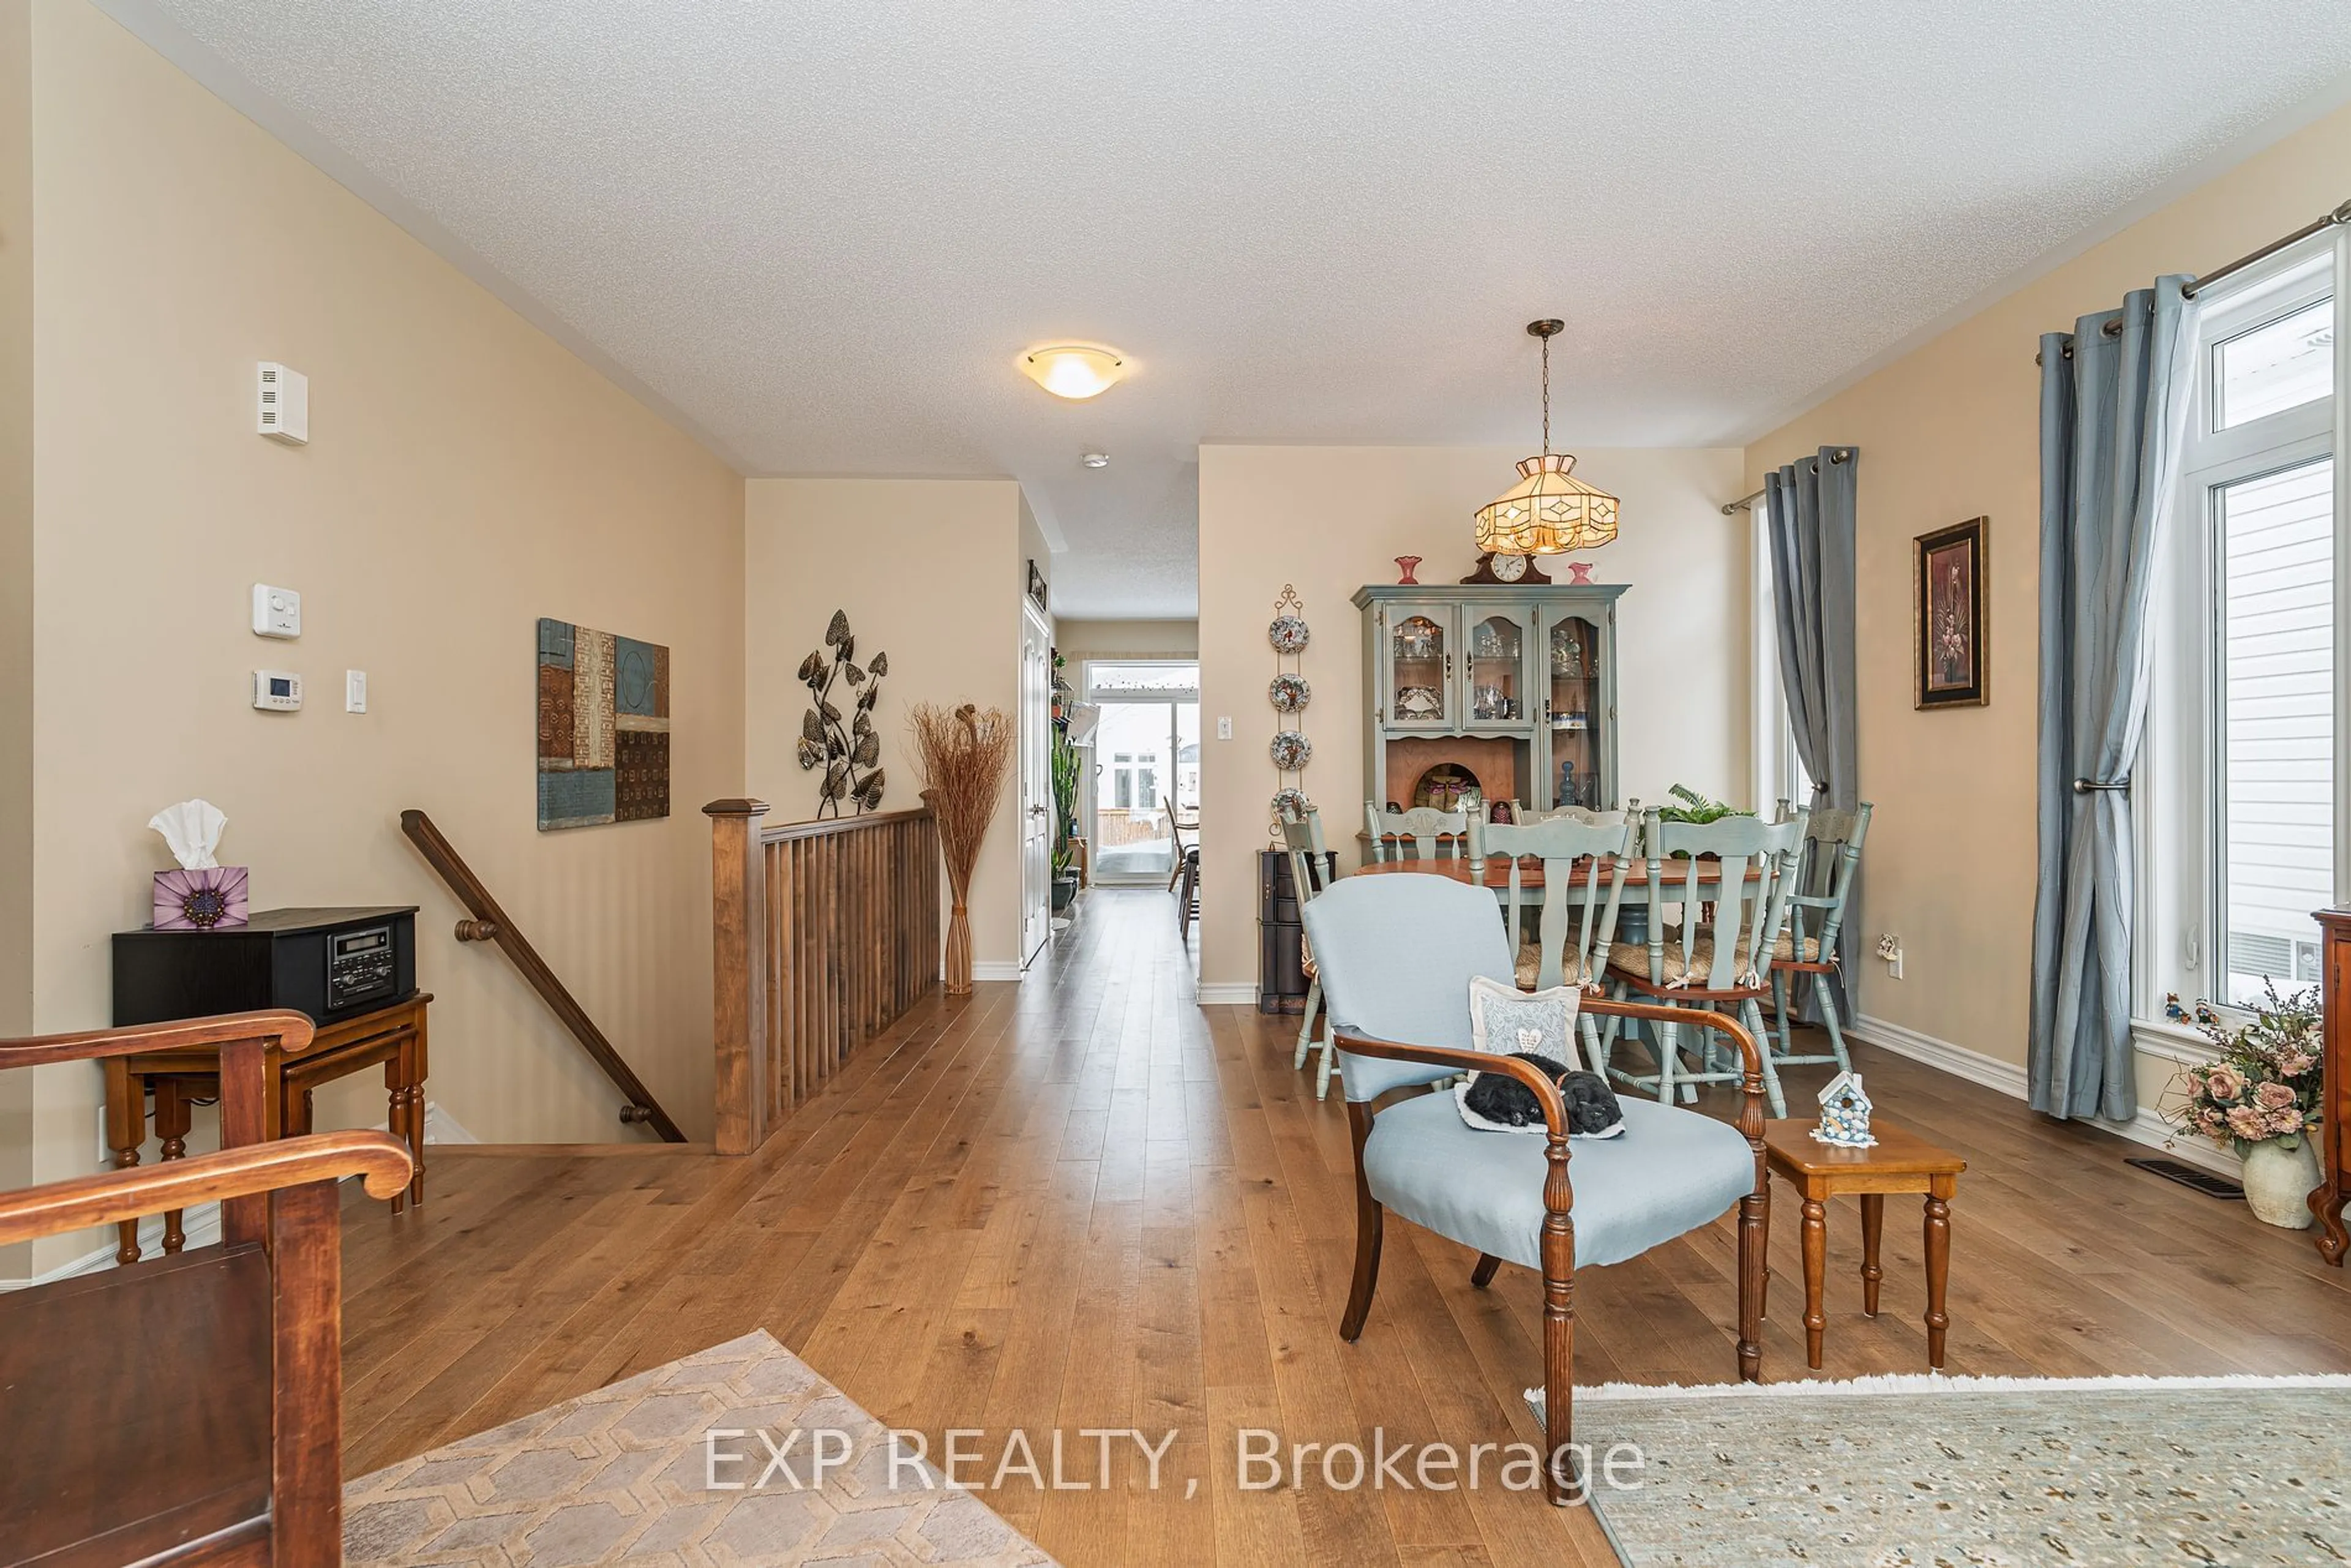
{"x":942,"y":601}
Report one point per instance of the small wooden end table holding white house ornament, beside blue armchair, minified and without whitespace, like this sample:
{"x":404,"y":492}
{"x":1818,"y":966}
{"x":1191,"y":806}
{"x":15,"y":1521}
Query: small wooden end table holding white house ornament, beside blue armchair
{"x":1898,"y":1162}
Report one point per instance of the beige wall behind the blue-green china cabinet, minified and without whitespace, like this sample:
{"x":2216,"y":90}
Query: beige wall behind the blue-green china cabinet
{"x":1332,"y":518}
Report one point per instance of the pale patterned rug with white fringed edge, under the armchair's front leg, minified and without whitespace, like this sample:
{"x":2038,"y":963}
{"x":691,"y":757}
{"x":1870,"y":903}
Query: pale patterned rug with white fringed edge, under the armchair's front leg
{"x":1976,"y":1473}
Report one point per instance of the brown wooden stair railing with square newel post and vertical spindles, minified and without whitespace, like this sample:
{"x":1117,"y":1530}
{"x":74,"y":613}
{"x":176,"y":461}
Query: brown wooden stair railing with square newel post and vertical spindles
{"x":822,"y":937}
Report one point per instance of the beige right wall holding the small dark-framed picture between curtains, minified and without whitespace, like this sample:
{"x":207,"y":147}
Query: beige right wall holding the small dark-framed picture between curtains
{"x":1953,"y":434}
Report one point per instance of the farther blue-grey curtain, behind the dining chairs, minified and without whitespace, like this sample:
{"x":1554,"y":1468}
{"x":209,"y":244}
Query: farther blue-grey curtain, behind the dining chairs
{"x":1814,"y":596}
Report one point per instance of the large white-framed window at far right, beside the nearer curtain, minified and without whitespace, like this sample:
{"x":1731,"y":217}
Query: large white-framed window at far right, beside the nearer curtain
{"x":2239,"y":784}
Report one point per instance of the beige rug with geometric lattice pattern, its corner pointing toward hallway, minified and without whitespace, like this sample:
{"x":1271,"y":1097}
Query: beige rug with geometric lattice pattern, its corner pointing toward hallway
{"x":624,"y":1477}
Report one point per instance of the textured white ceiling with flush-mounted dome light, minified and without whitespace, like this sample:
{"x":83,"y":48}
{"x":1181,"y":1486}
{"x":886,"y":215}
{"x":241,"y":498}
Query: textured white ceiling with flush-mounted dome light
{"x":824,"y":232}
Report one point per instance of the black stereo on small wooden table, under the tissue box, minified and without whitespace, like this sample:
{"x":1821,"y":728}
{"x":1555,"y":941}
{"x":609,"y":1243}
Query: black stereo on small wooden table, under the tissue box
{"x":321,"y":963}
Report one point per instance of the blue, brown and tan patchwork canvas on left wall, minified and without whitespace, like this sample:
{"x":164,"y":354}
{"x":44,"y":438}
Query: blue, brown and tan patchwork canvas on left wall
{"x":603,"y":728}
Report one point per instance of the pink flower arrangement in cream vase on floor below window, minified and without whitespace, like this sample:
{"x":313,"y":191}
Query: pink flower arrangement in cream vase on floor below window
{"x":2260,"y":1097}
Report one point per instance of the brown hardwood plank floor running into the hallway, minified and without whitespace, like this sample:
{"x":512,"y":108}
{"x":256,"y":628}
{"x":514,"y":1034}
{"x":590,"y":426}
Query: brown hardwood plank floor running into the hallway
{"x":1087,"y":1202}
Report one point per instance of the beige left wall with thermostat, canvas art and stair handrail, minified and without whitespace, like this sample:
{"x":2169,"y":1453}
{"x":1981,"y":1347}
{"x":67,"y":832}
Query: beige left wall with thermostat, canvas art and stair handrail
{"x":464,"y":478}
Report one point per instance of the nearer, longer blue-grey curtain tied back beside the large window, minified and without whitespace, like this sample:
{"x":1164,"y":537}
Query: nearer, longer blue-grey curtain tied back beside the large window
{"x":2115,"y":398}
